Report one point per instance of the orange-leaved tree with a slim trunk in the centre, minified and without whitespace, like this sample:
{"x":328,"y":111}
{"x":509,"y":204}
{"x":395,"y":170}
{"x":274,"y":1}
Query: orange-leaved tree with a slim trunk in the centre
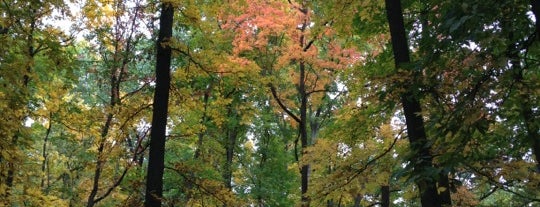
{"x":292,"y":50}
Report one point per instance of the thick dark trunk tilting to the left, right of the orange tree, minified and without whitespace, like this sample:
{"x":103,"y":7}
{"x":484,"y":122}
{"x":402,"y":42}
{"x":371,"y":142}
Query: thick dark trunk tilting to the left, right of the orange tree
{"x":422,"y":160}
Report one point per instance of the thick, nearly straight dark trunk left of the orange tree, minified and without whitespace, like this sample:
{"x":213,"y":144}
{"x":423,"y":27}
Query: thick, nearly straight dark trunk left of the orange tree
{"x":154,"y":177}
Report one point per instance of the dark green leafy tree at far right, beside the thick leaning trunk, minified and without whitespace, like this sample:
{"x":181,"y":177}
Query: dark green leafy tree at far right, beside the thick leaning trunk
{"x":474,"y":100}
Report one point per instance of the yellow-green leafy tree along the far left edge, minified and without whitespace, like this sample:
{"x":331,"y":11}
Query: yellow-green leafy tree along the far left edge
{"x":31,"y":42}
